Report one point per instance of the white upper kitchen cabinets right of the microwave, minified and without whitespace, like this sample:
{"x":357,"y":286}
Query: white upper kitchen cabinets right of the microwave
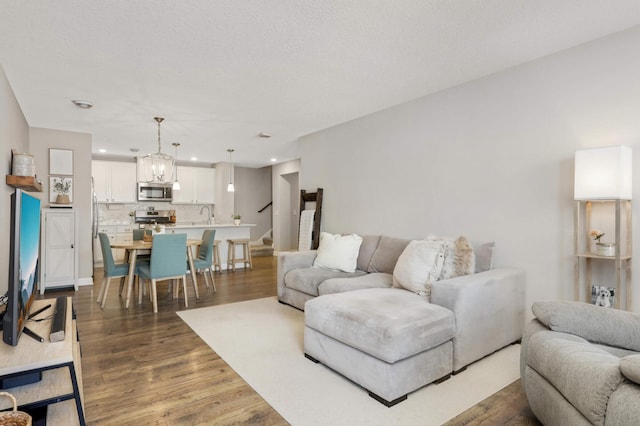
{"x":196,"y":185}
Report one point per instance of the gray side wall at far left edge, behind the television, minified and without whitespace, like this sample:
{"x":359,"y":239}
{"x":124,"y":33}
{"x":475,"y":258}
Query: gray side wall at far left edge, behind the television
{"x":14,"y":134}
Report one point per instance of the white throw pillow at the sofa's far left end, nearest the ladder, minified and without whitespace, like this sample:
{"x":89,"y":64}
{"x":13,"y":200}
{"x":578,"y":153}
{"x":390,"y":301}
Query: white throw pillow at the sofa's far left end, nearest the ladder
{"x":338,"y":252}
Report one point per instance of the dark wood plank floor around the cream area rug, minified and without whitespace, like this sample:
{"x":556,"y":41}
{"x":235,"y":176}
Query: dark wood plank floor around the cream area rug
{"x":141,"y":368}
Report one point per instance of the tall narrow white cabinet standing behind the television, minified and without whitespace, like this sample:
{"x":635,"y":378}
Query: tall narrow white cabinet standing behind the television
{"x":59,"y":253}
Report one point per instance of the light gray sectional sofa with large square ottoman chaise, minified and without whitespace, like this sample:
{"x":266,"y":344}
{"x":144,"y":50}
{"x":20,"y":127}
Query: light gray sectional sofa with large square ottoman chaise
{"x":392,"y":341}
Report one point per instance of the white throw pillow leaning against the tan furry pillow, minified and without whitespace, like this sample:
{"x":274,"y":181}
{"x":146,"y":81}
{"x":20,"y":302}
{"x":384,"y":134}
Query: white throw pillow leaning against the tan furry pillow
{"x":419,"y":265}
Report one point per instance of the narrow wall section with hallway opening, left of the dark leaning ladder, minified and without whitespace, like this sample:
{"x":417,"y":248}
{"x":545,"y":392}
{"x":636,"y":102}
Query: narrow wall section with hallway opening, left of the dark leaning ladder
{"x":282,"y":189}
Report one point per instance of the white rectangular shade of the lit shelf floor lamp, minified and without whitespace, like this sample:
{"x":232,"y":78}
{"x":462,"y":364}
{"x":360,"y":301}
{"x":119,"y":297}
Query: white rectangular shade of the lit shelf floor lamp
{"x":603,"y":173}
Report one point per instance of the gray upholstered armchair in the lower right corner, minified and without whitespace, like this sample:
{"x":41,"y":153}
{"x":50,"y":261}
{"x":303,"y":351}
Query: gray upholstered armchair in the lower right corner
{"x":580,"y":364}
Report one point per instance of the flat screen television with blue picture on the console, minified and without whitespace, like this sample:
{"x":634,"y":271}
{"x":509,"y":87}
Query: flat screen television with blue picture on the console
{"x":24,"y":253}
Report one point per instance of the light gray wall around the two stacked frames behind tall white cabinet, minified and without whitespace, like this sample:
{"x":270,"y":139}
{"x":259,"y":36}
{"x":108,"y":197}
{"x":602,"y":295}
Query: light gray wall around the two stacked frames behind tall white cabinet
{"x":40,"y":141}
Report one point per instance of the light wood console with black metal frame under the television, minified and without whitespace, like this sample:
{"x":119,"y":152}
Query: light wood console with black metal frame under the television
{"x":61,"y":386}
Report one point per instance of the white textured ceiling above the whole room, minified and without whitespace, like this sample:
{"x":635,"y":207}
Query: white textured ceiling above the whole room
{"x":222,"y":71}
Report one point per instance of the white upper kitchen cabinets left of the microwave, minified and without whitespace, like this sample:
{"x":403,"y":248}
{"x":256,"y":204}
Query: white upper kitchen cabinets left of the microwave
{"x":114,"y":181}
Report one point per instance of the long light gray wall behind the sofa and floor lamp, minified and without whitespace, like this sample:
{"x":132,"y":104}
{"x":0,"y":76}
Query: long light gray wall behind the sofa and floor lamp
{"x":491,"y":159}
